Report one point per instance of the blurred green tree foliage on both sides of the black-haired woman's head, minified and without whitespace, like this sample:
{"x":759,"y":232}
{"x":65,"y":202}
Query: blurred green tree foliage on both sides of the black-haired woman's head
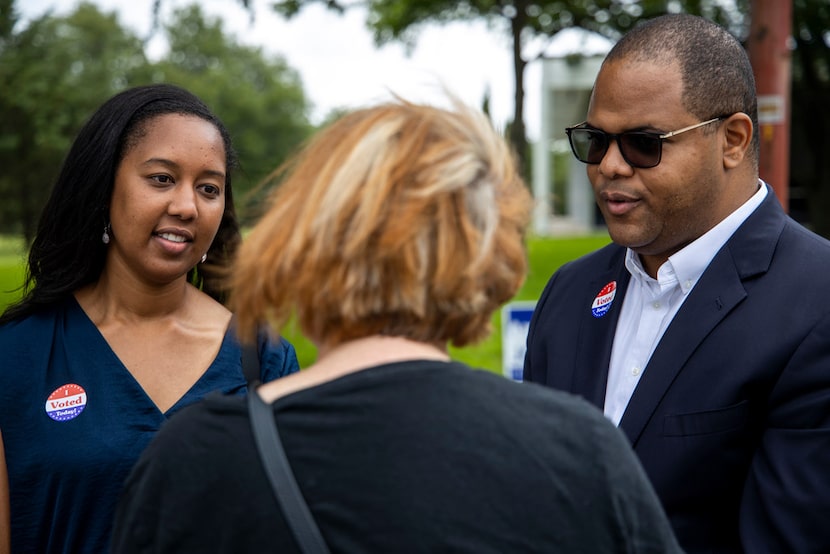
{"x":62,"y":68}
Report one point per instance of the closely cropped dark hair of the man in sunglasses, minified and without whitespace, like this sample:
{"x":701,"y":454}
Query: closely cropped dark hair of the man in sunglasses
{"x":715,"y":68}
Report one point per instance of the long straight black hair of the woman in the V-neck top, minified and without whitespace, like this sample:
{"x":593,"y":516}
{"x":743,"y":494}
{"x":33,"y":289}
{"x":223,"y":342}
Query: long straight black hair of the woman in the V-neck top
{"x":67,"y":252}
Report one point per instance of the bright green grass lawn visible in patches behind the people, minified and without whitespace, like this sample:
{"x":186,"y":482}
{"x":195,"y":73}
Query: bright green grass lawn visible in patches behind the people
{"x":545,"y":256}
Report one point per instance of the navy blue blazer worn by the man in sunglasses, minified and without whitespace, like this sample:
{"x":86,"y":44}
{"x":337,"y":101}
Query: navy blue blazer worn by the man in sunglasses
{"x":731,"y":416}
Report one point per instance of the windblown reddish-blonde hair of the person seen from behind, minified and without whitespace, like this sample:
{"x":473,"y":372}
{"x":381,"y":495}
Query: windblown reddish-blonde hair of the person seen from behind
{"x":401,"y":219}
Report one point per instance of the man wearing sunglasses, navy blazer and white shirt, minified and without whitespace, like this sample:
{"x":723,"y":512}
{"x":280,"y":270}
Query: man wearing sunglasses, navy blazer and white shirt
{"x":703,"y":331}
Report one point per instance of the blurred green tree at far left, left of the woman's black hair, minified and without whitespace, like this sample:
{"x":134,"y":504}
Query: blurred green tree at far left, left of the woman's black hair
{"x":58,"y":70}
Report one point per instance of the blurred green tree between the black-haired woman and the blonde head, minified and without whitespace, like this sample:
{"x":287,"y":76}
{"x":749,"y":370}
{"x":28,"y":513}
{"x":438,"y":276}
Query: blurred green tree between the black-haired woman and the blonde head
{"x":259,"y":97}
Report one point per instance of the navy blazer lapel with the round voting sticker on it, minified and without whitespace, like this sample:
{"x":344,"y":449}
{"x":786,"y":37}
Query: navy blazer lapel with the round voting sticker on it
{"x":596,"y":334}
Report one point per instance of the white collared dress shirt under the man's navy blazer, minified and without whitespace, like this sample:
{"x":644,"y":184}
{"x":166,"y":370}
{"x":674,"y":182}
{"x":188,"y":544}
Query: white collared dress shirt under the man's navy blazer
{"x":650,"y":305}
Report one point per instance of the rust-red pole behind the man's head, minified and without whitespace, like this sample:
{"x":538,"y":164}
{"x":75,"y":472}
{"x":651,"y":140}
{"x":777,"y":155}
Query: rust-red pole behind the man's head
{"x":769,"y":52}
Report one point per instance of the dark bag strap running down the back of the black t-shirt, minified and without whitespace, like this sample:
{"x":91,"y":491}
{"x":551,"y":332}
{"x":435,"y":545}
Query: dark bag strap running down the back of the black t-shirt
{"x":276,"y":465}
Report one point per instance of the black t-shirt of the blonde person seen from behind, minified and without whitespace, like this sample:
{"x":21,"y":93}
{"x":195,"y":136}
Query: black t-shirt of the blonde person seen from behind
{"x":417,"y":456}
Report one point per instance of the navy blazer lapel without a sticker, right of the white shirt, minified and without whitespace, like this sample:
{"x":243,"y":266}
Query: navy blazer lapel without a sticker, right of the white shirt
{"x":747,"y":253}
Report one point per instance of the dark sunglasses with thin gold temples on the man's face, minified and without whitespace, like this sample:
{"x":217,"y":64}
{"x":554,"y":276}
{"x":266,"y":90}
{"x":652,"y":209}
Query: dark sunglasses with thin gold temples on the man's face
{"x":641,"y":149}
